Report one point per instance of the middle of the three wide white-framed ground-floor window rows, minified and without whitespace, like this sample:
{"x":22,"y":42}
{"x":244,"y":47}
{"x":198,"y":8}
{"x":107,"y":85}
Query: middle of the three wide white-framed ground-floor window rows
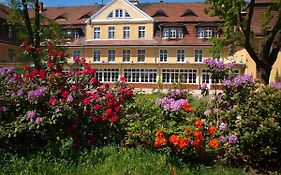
{"x":141,"y":75}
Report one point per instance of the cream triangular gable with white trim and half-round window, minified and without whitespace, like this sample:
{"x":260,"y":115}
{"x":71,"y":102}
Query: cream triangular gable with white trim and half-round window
{"x":119,"y":11}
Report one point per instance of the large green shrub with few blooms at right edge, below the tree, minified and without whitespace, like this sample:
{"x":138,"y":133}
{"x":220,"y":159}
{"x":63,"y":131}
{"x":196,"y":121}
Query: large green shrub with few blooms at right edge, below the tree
{"x":256,"y":122}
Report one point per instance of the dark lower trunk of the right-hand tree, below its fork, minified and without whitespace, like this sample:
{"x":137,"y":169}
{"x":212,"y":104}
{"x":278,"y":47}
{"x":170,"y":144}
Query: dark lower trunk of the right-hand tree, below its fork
{"x":263,"y":72}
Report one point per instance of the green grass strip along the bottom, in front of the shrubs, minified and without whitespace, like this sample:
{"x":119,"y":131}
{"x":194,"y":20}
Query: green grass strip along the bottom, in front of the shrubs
{"x":106,"y":161}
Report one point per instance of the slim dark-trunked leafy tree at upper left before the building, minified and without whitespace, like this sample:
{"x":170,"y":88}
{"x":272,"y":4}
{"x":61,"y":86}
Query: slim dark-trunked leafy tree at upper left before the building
{"x":32,"y":26}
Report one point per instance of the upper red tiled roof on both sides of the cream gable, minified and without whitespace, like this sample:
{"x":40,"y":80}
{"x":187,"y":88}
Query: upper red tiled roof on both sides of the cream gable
{"x":174,"y":12}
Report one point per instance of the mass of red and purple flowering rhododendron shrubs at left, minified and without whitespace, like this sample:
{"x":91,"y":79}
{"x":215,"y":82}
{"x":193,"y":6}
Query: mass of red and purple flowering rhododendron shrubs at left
{"x":46,"y":103}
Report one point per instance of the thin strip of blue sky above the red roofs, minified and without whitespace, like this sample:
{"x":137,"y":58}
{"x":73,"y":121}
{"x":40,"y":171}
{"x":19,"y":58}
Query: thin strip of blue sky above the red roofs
{"x":52,"y":3}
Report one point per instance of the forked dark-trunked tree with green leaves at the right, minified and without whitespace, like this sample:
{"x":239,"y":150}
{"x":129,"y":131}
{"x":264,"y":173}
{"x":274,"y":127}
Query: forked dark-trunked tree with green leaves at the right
{"x":237,"y":31}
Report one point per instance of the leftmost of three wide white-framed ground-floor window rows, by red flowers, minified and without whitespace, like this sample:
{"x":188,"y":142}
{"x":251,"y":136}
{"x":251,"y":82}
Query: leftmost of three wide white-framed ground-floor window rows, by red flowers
{"x":107,"y":75}
